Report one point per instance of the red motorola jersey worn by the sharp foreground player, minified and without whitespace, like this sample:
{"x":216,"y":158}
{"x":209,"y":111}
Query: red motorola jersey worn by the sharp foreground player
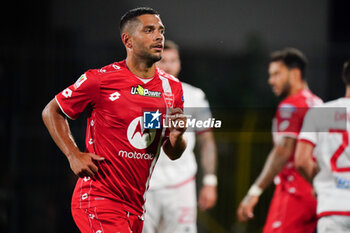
{"x":116,"y":100}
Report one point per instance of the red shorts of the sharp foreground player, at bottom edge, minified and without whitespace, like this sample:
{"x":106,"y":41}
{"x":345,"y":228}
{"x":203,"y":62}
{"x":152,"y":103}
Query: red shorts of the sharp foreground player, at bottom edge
{"x":99,"y":220}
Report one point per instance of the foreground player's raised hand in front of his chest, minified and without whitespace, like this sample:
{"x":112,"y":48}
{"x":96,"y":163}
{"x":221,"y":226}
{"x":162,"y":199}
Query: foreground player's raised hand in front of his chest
{"x":177,"y":121}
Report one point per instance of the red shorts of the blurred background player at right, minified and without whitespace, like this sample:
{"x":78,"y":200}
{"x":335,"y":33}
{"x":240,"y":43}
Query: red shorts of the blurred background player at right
{"x":291,"y":213}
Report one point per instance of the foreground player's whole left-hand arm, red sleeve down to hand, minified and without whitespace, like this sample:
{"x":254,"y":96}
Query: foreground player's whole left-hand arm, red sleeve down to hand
{"x":71,"y":102}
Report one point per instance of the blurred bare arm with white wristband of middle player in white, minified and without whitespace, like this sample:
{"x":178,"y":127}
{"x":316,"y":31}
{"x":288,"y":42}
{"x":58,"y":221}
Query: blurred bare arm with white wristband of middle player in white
{"x":208,"y":152}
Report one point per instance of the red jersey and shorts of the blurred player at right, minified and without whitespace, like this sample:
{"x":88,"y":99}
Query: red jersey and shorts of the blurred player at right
{"x":293,"y":206}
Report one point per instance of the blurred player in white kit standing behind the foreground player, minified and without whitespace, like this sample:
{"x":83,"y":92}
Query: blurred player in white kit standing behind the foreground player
{"x":171,"y":199}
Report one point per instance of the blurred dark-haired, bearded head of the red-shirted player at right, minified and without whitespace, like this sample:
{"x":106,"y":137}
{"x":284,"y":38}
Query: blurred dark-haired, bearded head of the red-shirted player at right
{"x":286,"y":69}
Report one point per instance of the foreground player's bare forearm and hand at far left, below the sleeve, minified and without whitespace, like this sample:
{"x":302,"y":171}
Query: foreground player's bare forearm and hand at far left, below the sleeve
{"x":58,"y":127}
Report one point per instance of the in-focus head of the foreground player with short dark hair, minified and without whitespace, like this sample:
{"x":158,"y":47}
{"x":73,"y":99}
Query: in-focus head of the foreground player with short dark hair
{"x":142,"y":33}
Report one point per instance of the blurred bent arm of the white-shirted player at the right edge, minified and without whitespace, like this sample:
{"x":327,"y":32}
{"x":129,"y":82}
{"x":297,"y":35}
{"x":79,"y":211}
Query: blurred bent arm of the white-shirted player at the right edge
{"x":306,"y":166}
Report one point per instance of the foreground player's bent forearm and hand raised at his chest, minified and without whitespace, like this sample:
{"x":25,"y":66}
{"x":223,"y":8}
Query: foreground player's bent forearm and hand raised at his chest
{"x":176,"y":144}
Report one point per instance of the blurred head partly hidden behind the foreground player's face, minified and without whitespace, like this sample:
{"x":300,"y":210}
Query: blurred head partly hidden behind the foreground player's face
{"x":170,"y":61}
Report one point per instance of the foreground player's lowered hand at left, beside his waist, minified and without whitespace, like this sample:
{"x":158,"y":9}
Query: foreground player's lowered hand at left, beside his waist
{"x":82,"y":164}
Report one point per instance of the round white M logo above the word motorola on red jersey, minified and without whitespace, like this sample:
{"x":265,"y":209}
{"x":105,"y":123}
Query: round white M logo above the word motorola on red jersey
{"x":139,"y":137}
